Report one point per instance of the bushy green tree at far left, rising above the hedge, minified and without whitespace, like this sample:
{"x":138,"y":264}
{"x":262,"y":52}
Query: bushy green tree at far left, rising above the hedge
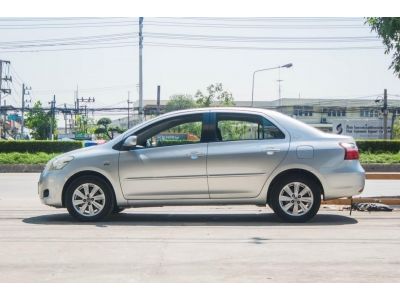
{"x":39,"y":122}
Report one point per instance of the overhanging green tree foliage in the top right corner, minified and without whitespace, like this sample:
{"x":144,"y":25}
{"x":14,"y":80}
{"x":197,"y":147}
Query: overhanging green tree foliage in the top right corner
{"x":389,"y":30}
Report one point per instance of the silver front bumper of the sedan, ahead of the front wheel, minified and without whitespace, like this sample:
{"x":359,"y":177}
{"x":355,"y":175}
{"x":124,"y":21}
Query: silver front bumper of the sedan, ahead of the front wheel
{"x":50,"y":187}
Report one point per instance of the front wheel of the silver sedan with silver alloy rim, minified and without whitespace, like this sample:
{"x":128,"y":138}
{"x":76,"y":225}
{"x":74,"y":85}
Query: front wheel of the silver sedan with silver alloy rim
{"x":89,"y":198}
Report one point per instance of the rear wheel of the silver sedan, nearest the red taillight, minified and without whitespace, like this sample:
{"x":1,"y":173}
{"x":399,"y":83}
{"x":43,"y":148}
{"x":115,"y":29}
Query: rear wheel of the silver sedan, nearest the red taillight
{"x":293,"y":214}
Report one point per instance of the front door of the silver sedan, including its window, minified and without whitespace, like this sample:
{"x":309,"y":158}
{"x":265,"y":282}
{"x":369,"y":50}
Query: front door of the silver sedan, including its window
{"x":169,"y":161}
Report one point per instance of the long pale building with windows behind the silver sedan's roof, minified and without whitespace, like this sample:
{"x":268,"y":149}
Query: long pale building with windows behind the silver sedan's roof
{"x":330,"y":115}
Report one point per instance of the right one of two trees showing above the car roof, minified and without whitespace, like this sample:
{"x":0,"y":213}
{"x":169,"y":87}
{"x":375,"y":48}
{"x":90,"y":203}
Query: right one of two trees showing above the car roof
{"x":215,"y":96}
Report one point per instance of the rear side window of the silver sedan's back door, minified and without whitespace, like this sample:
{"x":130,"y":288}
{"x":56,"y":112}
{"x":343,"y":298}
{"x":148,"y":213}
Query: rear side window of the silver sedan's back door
{"x":239,"y":127}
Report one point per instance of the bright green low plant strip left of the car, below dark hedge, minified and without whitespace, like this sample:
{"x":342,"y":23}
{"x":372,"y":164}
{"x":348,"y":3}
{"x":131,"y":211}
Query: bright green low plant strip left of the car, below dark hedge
{"x":13,"y":158}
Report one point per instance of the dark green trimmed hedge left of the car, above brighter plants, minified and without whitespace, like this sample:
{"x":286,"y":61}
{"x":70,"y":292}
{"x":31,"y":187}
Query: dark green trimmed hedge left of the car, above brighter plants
{"x":39,"y":146}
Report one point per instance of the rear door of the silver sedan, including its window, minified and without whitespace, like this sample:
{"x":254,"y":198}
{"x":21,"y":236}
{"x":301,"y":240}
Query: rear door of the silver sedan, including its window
{"x":247,"y":147}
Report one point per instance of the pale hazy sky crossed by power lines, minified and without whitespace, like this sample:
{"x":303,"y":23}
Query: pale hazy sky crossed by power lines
{"x":229,"y":53}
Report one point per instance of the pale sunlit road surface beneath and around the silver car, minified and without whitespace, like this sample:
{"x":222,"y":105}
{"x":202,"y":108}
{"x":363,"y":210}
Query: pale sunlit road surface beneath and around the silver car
{"x":191,"y":244}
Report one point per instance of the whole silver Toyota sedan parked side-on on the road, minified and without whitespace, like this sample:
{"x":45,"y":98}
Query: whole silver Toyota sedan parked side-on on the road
{"x":210,"y":156}
